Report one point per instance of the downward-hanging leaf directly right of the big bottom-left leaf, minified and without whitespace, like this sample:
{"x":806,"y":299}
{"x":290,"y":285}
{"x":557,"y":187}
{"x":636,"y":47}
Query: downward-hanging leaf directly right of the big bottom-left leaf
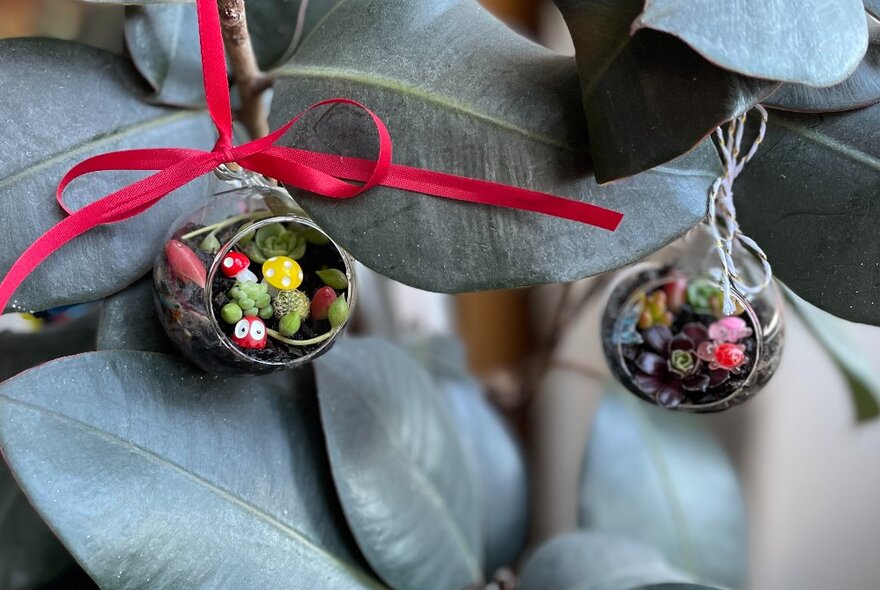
{"x":400,"y":467}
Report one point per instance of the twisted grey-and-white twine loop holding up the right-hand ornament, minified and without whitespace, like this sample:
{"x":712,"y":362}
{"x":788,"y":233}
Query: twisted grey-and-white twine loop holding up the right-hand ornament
{"x":722,"y":221}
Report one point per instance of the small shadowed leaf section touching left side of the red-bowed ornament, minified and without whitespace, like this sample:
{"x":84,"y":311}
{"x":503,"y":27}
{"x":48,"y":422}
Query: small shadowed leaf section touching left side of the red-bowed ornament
{"x":128,"y":321}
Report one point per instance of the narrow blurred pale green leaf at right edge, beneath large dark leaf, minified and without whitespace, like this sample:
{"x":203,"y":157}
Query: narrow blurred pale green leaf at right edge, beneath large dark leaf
{"x":831,"y":333}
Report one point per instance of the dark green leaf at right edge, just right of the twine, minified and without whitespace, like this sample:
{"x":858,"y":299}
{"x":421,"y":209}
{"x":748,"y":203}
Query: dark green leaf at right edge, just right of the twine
{"x":810,"y":199}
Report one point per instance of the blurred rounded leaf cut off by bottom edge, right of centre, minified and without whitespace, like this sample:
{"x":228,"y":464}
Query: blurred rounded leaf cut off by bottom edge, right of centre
{"x":586,"y":560}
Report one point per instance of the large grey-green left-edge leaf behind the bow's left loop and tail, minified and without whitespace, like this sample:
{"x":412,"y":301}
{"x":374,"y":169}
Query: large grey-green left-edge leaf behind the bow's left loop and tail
{"x":69,"y":102}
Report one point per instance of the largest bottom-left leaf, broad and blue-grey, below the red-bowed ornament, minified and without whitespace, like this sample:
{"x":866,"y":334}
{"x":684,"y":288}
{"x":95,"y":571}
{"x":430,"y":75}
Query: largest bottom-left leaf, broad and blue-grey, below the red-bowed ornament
{"x":155,"y":475}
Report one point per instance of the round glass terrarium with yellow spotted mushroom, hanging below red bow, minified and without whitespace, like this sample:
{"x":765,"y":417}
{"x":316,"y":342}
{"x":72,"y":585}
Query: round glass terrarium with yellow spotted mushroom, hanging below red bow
{"x":249,"y":285}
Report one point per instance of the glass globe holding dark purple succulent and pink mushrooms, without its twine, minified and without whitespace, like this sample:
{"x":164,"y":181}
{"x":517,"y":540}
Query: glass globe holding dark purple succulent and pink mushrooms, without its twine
{"x":668,"y":341}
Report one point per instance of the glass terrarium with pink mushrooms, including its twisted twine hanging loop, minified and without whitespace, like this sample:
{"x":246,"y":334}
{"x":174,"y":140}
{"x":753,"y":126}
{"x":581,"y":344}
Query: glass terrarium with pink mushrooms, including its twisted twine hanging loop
{"x":700,"y":330}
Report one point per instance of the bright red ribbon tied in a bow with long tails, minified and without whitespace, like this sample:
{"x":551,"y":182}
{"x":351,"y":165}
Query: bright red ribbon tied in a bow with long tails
{"x":311,"y":171}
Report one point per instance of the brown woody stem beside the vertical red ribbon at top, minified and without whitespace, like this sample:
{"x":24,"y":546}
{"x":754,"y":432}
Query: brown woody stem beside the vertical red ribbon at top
{"x":245,"y":70}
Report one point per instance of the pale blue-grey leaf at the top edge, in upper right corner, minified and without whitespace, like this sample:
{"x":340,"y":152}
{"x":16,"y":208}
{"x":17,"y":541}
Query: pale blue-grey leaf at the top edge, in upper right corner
{"x":801,"y":41}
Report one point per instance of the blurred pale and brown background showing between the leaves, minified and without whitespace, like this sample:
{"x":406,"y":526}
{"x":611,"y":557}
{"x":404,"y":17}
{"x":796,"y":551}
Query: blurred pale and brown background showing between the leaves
{"x":809,"y":471}
